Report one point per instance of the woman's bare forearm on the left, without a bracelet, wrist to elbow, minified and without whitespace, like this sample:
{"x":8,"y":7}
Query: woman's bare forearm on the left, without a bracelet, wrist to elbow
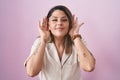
{"x":34,"y":63}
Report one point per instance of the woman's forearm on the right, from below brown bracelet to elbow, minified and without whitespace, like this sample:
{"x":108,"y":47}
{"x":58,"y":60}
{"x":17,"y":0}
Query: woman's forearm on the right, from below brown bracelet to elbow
{"x":87,"y":60}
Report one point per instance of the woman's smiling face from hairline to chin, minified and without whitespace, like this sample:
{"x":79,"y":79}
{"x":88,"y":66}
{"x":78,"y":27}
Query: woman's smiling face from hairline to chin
{"x":58,"y":23}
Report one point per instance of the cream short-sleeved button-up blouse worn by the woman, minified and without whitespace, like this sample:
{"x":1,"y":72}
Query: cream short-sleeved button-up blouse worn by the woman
{"x":54,"y":69}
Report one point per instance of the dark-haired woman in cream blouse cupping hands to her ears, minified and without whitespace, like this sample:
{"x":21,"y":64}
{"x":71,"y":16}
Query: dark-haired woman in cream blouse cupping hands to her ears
{"x":59,"y":53}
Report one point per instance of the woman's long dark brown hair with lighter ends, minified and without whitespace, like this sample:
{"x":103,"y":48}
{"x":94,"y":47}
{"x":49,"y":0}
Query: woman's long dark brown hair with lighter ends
{"x":68,"y":40}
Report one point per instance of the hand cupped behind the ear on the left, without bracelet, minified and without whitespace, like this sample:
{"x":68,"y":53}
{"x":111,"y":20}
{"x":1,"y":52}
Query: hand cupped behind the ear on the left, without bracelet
{"x":44,"y":30}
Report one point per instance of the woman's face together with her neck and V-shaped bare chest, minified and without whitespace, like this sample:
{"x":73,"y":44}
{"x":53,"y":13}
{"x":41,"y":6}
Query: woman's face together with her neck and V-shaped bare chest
{"x":59,"y":25}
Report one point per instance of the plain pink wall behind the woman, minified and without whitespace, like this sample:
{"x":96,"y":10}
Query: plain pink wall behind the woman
{"x":101,"y":31}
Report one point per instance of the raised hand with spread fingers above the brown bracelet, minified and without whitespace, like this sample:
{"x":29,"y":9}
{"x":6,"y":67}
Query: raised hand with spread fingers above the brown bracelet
{"x":75,"y":26}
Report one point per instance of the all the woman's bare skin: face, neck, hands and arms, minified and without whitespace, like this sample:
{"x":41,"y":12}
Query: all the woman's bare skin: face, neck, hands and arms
{"x":58,"y":24}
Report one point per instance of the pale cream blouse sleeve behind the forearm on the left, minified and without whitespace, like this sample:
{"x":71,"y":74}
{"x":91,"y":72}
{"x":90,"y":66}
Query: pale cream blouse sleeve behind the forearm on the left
{"x":33,"y":49}
